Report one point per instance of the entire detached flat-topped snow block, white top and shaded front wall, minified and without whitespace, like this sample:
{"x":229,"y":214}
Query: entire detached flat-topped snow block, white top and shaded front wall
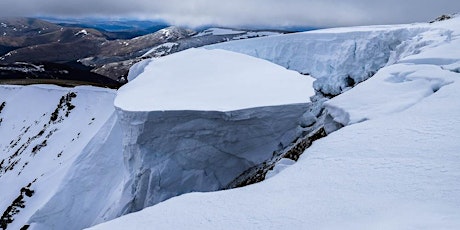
{"x":185,"y":137}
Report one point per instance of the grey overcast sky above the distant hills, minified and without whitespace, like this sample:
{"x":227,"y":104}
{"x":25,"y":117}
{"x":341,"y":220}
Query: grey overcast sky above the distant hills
{"x":270,"y":13}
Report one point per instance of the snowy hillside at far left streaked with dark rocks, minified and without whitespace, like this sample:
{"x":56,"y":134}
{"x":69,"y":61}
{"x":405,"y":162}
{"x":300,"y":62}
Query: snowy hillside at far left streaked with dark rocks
{"x":43,"y":130}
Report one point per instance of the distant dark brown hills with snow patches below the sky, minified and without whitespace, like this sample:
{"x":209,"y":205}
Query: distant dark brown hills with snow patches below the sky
{"x":101,"y":47}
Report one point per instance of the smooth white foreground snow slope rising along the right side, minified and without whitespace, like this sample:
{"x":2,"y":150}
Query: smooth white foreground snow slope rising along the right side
{"x":396,"y":166}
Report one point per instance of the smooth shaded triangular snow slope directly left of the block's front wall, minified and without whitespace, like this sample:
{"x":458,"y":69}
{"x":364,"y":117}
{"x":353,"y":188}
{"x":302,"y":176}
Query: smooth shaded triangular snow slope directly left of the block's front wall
{"x":92,"y":183}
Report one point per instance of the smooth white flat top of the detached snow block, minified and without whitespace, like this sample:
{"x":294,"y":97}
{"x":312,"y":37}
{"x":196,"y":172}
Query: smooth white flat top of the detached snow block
{"x":218,"y":80}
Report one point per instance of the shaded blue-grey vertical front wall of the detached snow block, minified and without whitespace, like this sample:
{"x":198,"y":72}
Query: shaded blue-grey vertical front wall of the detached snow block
{"x":174,"y":152}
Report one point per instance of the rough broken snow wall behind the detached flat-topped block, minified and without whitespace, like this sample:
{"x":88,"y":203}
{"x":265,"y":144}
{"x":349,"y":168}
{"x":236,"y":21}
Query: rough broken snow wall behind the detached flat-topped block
{"x":338,"y":58}
